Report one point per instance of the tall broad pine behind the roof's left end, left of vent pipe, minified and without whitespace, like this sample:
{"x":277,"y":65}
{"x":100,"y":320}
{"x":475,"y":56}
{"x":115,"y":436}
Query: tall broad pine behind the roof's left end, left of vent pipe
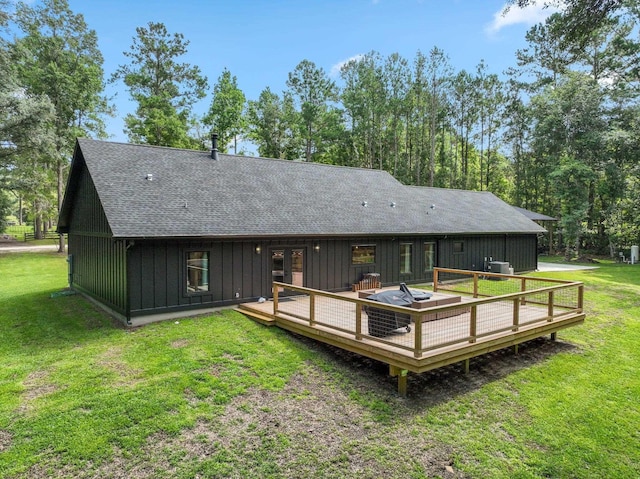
{"x":164,"y":89}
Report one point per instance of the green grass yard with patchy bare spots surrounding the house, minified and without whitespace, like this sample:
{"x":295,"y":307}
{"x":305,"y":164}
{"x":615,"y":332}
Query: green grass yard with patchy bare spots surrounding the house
{"x":221,"y":396}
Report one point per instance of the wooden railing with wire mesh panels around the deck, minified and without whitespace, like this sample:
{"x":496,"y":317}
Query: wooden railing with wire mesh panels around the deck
{"x":479,"y":315}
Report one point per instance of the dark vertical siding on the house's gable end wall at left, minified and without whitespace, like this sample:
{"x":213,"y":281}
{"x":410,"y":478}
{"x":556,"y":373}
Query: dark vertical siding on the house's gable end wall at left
{"x":97,"y":262}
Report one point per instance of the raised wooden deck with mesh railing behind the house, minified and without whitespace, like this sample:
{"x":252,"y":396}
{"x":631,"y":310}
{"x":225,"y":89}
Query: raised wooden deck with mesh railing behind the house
{"x":439,"y":335}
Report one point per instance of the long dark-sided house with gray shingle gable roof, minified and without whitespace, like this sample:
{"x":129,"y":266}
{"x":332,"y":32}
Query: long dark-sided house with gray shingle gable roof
{"x":160,"y":232}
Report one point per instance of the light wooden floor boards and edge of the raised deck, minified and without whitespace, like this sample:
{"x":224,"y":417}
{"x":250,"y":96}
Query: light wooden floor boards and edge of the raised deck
{"x":444,"y":341}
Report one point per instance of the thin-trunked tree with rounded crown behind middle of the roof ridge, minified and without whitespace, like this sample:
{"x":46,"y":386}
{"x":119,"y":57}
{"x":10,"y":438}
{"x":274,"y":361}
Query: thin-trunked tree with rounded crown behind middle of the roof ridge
{"x":313,"y":90}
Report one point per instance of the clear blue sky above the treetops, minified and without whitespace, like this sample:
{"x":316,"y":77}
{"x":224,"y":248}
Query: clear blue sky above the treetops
{"x":260,"y":42}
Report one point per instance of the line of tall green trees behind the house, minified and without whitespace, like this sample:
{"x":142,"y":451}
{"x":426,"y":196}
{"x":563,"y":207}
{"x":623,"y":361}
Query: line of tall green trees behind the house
{"x":556,"y":134}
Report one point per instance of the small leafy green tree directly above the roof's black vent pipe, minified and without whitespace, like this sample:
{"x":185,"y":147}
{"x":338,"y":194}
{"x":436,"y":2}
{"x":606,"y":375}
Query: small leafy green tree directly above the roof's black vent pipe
{"x":226,"y":113}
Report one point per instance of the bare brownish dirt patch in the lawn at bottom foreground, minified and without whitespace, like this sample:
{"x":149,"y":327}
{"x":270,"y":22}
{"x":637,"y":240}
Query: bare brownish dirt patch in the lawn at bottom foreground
{"x":309,"y":429}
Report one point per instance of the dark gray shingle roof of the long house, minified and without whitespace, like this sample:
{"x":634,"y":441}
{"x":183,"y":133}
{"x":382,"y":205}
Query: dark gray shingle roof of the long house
{"x":194,"y":195}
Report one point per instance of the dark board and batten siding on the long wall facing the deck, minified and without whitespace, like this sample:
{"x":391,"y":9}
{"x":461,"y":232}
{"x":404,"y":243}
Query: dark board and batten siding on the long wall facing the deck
{"x":157,"y":268}
